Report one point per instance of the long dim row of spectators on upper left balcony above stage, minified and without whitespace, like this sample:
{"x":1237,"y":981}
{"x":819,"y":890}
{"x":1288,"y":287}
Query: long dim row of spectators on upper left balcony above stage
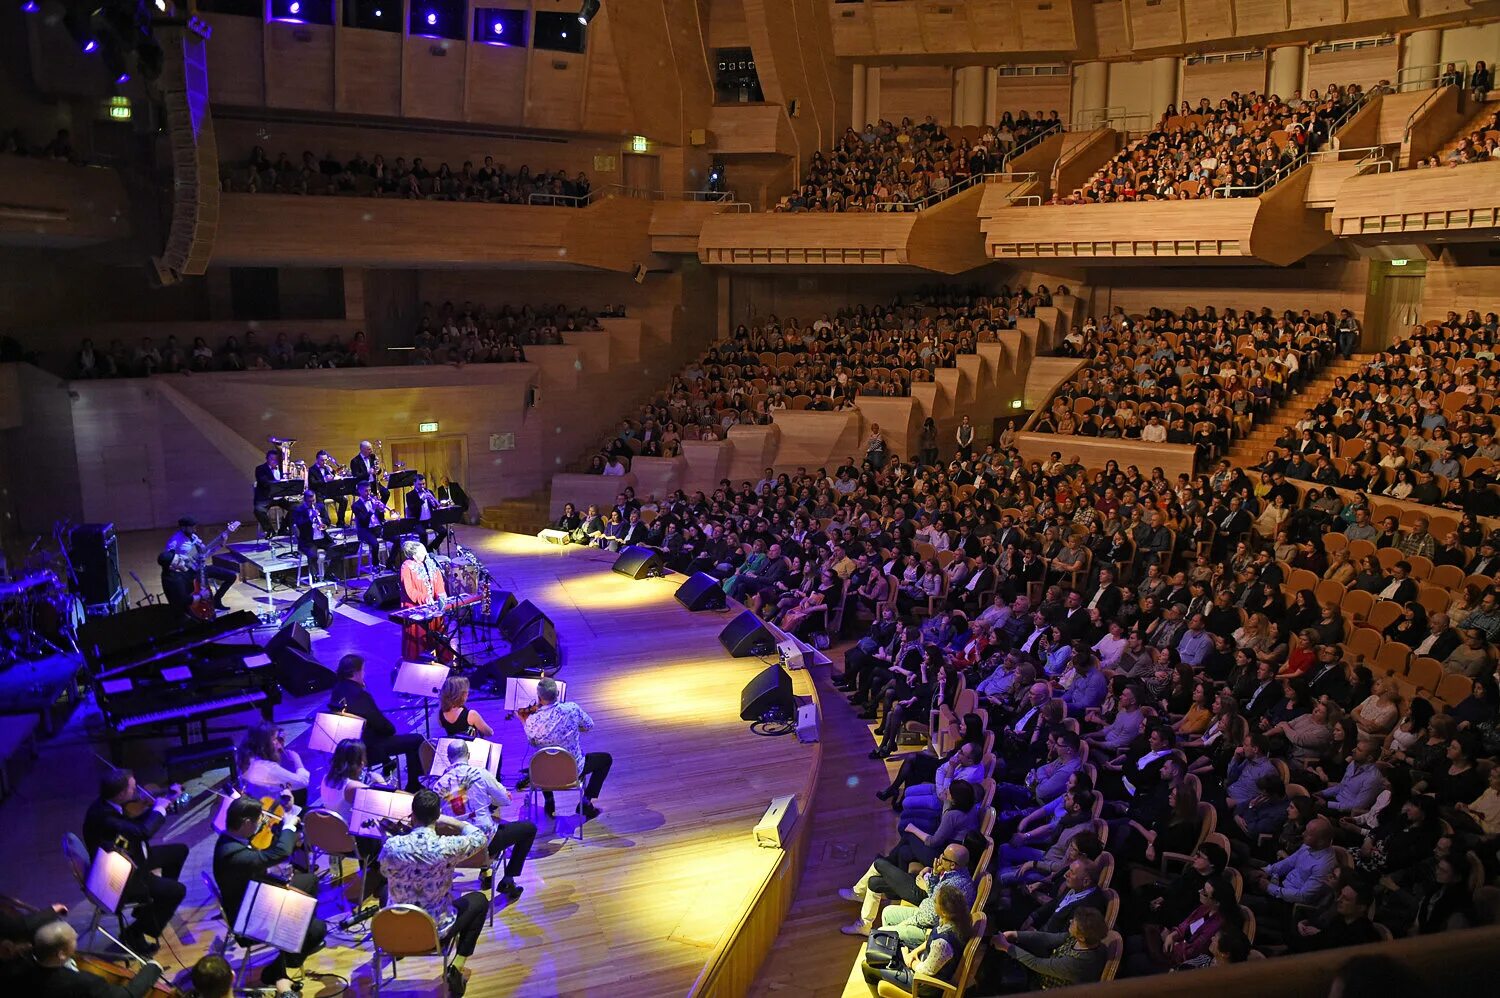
{"x":490,"y":184}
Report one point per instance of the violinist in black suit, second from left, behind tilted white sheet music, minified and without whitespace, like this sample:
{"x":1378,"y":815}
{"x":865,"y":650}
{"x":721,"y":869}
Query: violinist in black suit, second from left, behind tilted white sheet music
{"x":238,"y":865}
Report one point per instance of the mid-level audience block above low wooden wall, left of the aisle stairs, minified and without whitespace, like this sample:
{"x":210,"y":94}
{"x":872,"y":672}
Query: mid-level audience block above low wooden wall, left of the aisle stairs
{"x":1198,"y":377}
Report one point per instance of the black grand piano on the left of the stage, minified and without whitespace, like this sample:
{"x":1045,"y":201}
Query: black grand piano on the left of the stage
{"x":155,"y":672}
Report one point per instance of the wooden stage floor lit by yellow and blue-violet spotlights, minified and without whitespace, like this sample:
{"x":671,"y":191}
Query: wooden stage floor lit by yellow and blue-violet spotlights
{"x":661,"y":877}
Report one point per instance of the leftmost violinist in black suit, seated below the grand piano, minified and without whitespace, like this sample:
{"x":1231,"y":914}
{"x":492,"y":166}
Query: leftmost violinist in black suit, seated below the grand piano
{"x":154,"y":888}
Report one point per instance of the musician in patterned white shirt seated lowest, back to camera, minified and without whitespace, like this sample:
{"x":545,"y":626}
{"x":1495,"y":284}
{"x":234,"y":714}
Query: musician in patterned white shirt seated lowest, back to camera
{"x":421,"y":870}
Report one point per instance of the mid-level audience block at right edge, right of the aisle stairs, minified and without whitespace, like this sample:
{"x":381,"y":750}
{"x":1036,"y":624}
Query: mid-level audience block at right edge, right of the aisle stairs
{"x":1418,"y":422}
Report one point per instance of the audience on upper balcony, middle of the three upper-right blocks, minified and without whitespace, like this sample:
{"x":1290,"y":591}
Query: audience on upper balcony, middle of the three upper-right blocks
{"x":1240,"y":145}
